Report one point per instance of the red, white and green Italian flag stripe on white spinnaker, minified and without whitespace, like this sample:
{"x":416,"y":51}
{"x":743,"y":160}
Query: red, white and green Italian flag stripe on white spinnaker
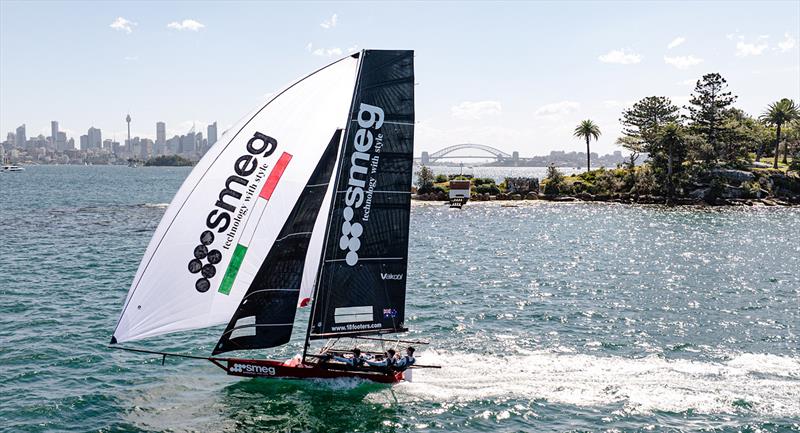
{"x":248,"y":231}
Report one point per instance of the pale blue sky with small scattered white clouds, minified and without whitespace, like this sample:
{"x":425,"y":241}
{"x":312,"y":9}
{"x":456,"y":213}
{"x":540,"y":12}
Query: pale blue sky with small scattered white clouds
{"x":516,"y":76}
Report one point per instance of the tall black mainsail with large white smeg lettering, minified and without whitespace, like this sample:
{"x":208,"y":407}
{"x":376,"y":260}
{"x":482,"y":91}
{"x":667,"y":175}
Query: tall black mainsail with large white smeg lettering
{"x":362,"y":283}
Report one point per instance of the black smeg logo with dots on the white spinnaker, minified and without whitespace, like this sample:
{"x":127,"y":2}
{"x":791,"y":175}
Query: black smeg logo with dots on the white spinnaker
{"x":220,"y":217}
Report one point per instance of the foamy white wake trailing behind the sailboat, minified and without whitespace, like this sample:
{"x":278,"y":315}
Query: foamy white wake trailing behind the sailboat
{"x":765,"y":384}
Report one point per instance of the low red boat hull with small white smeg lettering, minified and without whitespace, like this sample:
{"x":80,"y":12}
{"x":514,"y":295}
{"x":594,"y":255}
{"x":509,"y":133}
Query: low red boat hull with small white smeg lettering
{"x":293,"y":370}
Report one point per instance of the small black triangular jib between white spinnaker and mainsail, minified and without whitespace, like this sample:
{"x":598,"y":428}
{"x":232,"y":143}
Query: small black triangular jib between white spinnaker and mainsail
{"x":266,"y":313}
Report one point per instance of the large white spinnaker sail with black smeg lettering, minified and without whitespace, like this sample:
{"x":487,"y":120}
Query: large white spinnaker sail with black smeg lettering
{"x":302,"y":118}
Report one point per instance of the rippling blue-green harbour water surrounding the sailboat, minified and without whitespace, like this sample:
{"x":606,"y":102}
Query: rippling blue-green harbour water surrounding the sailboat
{"x":545,"y":317}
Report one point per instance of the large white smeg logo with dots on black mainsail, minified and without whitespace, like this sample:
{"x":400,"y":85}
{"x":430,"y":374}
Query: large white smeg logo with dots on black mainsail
{"x":355,"y":194}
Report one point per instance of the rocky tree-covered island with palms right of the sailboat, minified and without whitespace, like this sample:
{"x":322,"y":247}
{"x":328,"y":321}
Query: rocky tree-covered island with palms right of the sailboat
{"x":713,"y":153}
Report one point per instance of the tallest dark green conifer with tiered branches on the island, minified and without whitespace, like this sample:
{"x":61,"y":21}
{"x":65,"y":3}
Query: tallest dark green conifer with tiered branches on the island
{"x":708,"y":111}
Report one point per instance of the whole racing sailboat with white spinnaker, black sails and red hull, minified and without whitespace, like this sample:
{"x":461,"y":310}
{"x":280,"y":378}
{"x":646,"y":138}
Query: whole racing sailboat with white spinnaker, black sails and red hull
{"x":304,"y":203}
